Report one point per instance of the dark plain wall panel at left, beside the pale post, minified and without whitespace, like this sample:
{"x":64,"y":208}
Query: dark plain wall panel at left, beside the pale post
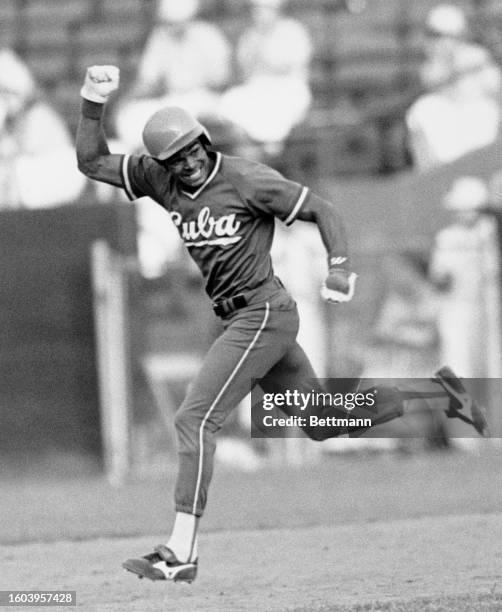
{"x":48,"y":394}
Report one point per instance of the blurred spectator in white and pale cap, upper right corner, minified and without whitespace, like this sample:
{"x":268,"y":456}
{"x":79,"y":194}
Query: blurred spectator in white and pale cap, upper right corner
{"x":461,"y":110}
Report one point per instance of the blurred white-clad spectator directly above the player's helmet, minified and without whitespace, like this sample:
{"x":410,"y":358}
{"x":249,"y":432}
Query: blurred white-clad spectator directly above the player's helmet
{"x":186,"y":62}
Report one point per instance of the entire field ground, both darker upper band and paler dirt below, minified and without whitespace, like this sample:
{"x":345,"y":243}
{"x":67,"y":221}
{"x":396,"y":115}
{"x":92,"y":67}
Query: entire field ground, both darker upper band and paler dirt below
{"x":355,"y":533}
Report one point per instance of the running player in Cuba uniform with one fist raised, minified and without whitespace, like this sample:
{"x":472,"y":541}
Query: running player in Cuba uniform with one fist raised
{"x":225,"y":208}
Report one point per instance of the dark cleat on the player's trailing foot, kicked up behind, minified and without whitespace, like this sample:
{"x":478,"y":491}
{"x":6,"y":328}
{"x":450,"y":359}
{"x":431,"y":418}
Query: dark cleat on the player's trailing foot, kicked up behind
{"x":461,"y":400}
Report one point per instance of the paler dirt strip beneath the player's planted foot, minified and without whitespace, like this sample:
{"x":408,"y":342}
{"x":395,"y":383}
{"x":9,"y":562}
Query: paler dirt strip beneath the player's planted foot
{"x":319,"y":568}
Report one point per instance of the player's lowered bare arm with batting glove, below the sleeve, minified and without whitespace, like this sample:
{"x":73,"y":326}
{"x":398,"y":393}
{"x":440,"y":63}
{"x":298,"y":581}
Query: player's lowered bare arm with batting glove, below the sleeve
{"x":340,"y":282}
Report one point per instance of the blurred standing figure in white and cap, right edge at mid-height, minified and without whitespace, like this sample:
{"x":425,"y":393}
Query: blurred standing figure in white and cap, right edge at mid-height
{"x":465,"y":267}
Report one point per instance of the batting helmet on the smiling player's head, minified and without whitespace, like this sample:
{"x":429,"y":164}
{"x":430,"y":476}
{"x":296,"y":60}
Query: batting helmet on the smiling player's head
{"x":169,"y":130}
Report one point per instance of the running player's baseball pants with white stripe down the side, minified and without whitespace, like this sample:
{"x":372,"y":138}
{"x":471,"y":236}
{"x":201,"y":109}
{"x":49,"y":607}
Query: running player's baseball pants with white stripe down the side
{"x":258,"y":340}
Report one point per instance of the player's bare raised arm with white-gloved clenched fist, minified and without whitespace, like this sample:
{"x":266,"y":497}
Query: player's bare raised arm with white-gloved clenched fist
{"x":93,"y":155}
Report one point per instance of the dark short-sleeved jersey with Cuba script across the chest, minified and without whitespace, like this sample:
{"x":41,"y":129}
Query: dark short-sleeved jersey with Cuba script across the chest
{"x":227,"y":224}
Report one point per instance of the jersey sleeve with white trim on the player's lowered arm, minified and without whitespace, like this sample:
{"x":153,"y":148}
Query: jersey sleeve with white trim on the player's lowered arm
{"x":275,"y":195}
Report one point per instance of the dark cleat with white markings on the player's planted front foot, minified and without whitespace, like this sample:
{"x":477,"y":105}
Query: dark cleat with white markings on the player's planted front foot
{"x":162,"y":564}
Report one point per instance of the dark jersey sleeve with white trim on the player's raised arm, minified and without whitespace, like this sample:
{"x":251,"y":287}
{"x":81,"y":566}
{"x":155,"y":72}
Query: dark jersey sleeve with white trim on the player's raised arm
{"x":142,"y":176}
